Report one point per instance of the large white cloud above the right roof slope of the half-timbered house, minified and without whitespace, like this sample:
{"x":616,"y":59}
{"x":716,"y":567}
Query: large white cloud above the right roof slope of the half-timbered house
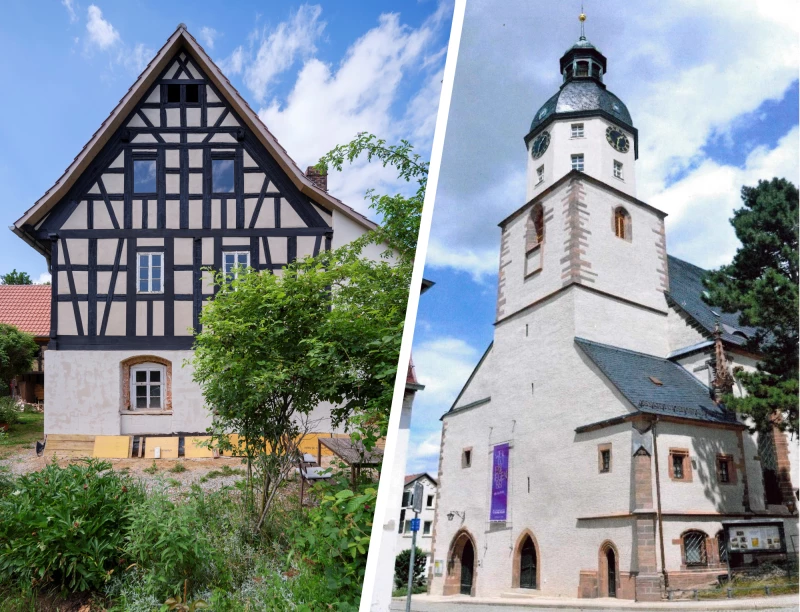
{"x":329,"y":105}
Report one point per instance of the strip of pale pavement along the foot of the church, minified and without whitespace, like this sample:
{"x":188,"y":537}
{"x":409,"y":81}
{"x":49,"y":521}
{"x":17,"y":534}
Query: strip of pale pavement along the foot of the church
{"x":511,"y":601}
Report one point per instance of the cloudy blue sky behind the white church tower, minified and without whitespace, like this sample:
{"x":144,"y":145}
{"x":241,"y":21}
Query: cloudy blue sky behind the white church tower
{"x":712,"y":89}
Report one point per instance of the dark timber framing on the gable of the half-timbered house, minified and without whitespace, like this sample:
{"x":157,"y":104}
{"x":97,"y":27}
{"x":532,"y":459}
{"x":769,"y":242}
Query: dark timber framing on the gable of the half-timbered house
{"x":126,"y":227}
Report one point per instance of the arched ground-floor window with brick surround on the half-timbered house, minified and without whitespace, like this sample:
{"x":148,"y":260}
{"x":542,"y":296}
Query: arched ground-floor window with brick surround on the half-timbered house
{"x":146,"y":382}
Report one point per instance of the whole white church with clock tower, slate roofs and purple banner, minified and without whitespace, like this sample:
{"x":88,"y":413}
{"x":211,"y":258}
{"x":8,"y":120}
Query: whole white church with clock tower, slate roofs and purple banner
{"x":588,"y":454}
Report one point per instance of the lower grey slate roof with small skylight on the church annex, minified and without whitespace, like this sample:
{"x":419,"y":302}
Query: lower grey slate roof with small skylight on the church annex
{"x":679,"y":395}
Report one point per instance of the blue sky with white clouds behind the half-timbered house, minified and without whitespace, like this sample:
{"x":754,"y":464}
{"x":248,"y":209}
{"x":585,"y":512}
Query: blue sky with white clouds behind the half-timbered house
{"x":317,"y":73}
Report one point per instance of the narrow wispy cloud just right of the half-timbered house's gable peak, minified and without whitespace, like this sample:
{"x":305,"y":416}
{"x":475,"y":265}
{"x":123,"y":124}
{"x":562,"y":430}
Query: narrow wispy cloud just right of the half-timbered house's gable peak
{"x":279,"y":49}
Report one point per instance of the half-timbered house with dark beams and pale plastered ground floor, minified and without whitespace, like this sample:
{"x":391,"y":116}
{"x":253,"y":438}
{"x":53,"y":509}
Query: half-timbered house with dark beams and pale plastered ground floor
{"x":181,"y":176}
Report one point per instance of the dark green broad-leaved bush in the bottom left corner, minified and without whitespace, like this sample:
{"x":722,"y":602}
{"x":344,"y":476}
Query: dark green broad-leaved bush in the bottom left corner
{"x":65,"y":525}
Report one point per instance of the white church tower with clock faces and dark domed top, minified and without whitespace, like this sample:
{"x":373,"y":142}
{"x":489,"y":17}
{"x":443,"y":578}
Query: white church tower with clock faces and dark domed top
{"x":582,"y":224}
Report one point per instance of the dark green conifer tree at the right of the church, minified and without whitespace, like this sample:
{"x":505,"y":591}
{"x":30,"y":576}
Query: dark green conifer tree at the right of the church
{"x":761,"y":283}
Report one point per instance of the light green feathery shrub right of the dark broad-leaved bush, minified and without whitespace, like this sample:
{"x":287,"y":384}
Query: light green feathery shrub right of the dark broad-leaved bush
{"x":169,"y":544}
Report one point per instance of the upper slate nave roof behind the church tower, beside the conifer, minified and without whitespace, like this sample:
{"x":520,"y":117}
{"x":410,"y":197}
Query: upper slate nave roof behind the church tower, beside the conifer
{"x":686,"y":291}
